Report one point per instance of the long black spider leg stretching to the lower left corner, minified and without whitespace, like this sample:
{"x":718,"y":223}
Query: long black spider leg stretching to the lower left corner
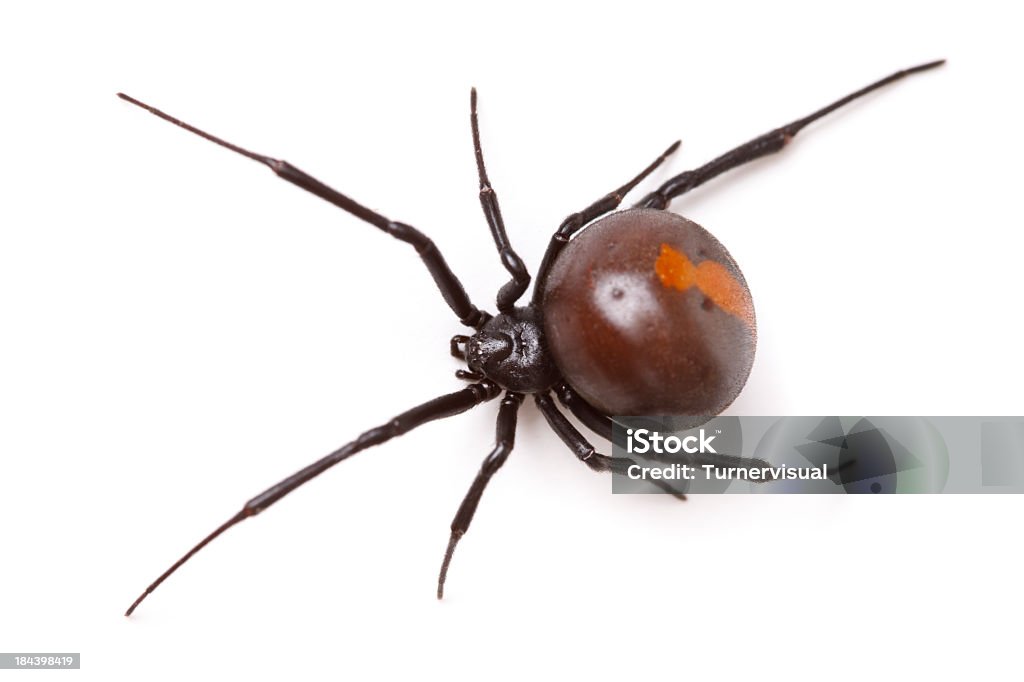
{"x":440,"y":408}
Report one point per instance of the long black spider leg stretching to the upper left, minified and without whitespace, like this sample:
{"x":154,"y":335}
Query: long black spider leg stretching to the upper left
{"x":449,"y":285}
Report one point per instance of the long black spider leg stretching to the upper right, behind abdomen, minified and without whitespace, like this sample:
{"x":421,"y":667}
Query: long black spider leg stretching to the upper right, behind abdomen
{"x":771,"y":143}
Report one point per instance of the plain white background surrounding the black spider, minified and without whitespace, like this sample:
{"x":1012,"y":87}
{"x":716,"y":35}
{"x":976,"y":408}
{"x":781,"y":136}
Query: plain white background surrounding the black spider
{"x":181,"y":329}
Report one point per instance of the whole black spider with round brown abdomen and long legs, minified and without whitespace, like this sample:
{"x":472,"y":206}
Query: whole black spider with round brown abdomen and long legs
{"x":644,"y":313}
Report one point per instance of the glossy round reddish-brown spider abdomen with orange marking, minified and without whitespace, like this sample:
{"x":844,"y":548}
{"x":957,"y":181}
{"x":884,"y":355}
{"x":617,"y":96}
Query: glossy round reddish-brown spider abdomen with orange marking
{"x":646,"y":313}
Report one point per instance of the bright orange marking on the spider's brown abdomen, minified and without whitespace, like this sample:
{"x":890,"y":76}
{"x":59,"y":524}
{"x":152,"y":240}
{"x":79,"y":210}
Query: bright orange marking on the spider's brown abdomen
{"x":713,"y":280}
